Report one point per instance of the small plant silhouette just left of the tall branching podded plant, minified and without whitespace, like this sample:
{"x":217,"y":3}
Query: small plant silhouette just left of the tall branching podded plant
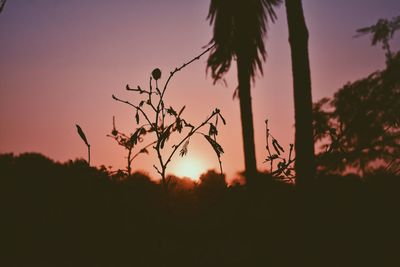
{"x":128,"y":142}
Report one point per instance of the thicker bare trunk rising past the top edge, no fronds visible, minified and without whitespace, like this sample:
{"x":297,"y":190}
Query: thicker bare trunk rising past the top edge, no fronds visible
{"x":304,"y":143}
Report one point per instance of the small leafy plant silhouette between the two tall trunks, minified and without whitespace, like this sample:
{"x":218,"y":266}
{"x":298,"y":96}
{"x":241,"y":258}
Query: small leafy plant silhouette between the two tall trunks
{"x":284,"y":167}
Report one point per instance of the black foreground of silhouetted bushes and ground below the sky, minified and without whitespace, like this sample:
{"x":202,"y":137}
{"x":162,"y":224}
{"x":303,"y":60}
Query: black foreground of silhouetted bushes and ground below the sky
{"x":71,"y":215}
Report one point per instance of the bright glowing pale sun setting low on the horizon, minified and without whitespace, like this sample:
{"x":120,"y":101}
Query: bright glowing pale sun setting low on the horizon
{"x":189,"y":167}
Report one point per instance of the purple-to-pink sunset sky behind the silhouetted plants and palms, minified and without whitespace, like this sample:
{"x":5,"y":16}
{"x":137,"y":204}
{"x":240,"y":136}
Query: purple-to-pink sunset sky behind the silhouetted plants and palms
{"x":60,"y":62}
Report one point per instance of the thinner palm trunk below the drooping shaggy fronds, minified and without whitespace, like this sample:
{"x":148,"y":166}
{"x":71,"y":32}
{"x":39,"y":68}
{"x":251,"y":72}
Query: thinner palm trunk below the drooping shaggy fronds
{"x":246,"y":115}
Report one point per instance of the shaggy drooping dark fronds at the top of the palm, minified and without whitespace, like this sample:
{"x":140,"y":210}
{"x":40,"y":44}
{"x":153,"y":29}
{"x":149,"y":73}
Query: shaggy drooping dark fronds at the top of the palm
{"x":239,"y":30}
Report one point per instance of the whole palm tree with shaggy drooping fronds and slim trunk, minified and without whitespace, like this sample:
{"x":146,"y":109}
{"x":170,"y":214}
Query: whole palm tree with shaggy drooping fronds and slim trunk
{"x":239,"y":28}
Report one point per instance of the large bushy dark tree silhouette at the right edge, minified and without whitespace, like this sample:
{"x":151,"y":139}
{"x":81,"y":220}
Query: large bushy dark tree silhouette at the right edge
{"x":360,"y":126}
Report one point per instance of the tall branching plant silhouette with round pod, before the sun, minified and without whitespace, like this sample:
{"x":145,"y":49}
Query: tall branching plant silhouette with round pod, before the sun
{"x":166,"y":121}
